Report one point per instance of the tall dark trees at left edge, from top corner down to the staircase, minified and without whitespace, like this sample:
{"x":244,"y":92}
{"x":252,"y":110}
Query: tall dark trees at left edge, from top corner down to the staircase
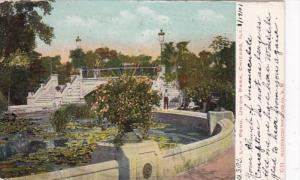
{"x":20,"y":23}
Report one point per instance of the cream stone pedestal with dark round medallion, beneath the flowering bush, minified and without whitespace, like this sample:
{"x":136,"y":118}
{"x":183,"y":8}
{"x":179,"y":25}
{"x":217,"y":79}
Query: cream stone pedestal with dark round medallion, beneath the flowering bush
{"x":139,"y":160}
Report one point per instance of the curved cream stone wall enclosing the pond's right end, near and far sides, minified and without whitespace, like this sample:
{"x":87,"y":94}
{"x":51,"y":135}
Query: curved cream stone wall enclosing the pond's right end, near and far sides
{"x":185,"y":157}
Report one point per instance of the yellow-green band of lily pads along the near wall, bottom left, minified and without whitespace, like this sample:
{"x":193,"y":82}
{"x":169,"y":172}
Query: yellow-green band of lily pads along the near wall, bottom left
{"x":76,"y":153}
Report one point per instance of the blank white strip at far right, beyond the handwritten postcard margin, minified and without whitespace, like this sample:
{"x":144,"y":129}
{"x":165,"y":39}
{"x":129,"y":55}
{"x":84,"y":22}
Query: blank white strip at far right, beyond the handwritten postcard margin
{"x":292,"y":89}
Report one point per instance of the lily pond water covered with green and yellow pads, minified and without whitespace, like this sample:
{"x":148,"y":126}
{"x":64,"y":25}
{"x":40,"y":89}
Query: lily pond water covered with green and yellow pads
{"x":30,"y":146}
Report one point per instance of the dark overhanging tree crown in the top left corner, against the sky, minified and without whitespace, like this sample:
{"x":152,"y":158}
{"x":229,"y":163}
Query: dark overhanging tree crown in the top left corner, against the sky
{"x":21,"y":23}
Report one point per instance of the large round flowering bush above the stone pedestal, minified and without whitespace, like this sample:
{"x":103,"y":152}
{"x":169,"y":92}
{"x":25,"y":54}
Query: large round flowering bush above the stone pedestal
{"x":127,"y":102}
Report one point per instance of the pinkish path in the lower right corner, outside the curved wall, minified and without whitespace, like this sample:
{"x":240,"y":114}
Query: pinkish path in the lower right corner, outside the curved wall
{"x":221,"y":168}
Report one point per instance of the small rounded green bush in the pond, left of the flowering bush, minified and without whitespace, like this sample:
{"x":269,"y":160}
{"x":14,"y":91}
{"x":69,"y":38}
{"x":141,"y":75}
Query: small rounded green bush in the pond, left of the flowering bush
{"x":60,"y":118}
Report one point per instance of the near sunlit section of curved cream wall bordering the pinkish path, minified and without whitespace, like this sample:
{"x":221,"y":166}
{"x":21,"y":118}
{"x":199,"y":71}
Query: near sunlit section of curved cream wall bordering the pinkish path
{"x":191,"y":155}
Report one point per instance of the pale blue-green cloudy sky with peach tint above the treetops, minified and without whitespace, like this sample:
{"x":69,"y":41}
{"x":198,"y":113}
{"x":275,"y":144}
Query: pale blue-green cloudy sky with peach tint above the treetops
{"x":131,"y":27}
